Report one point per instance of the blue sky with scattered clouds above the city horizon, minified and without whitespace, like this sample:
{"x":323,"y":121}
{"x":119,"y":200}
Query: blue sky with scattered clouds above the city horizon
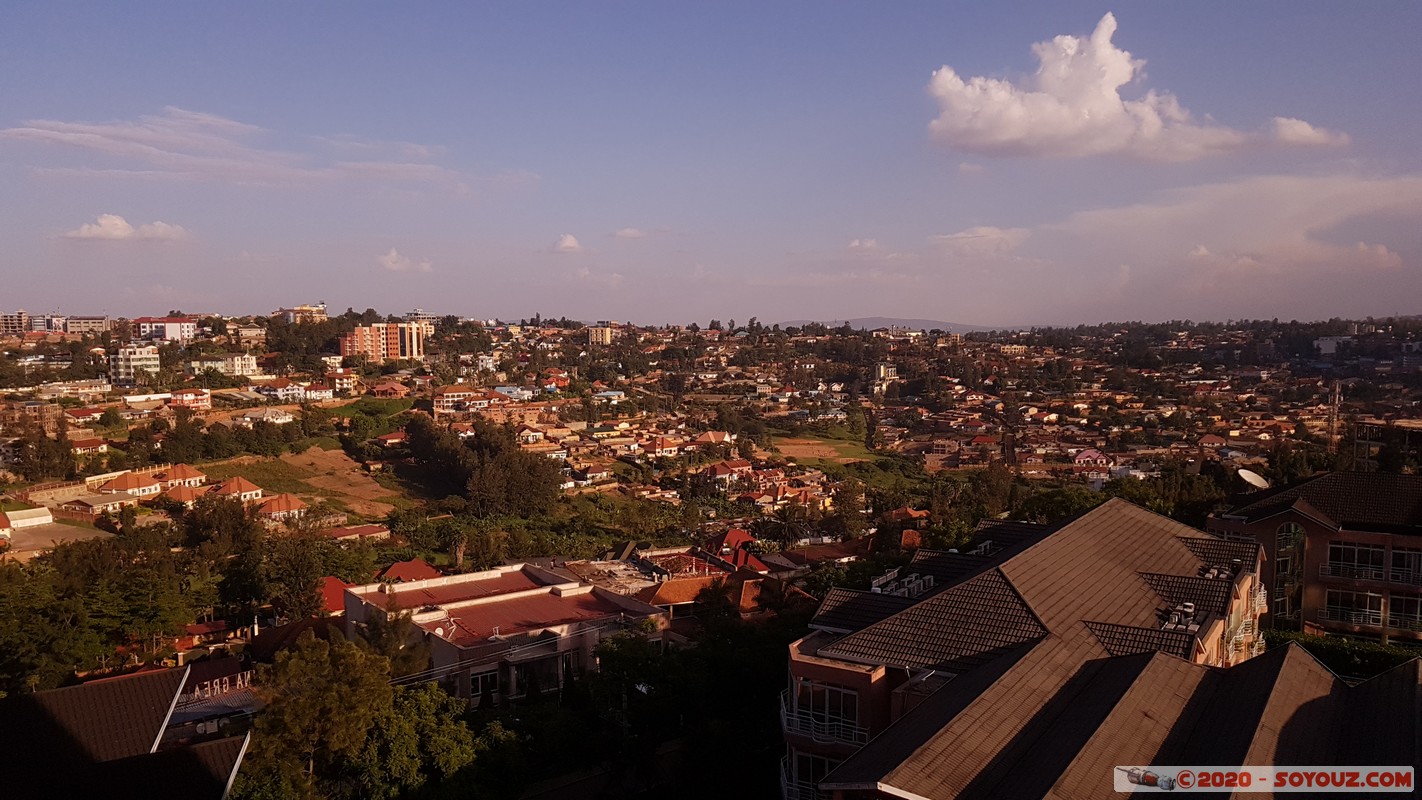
{"x":675,"y":163}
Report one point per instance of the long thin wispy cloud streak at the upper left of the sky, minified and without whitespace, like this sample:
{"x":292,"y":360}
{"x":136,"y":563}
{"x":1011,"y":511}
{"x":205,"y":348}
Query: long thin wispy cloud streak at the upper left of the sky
{"x":190,"y":146}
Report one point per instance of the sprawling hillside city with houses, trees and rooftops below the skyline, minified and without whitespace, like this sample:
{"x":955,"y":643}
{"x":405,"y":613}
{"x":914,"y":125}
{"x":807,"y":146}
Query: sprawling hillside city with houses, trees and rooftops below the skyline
{"x":366,"y":555}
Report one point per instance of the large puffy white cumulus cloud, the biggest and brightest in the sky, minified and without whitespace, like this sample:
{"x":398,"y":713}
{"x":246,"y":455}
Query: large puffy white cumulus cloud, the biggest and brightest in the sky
{"x":1073,"y":107}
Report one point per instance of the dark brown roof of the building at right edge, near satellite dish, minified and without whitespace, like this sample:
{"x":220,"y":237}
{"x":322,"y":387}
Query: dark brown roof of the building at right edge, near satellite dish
{"x":1357,"y":501}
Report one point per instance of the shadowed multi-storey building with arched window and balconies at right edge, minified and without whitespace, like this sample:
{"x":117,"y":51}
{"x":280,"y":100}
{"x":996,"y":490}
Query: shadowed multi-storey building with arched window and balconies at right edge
{"x":1343,"y":552}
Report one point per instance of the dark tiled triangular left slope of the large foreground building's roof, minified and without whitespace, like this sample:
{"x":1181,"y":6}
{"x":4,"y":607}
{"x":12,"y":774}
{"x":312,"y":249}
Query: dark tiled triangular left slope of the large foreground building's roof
{"x":955,"y":630}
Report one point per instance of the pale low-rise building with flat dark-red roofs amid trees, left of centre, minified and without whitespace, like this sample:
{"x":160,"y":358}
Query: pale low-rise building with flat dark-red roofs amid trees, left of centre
{"x":497,"y":634}
